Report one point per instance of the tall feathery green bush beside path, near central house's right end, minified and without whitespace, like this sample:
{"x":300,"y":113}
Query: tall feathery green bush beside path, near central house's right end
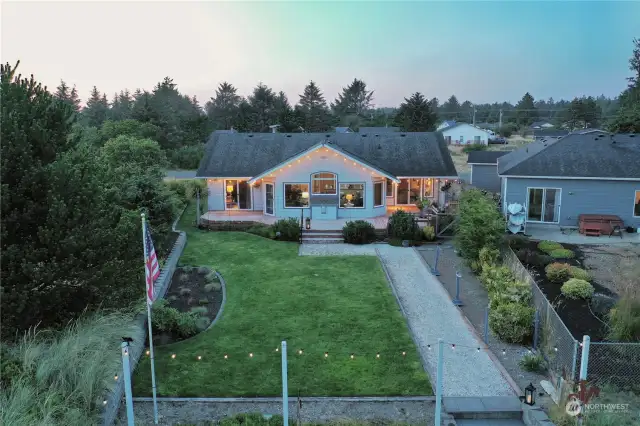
{"x":480,"y":224}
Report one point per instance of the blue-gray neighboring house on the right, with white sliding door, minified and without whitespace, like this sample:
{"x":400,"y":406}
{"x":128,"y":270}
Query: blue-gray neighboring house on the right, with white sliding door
{"x":588,"y":173}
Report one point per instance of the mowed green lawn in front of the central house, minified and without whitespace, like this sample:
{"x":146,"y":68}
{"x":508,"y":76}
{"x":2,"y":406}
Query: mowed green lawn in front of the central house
{"x":339,"y":305}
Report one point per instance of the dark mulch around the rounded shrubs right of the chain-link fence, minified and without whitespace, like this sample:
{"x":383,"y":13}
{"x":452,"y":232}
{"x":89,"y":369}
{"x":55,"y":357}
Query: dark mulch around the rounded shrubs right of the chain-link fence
{"x":576,"y":314}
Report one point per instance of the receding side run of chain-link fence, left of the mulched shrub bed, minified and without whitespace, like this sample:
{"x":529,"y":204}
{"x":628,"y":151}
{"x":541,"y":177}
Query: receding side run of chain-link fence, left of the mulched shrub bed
{"x":554,"y":340}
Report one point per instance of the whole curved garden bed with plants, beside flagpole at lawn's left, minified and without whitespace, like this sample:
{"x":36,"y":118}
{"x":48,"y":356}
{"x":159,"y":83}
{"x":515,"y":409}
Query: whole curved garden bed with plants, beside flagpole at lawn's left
{"x":192,"y":304}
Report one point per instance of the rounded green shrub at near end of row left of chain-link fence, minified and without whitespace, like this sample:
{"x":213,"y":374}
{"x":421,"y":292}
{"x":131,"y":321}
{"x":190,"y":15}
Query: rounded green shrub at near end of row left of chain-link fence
{"x":512,"y":322}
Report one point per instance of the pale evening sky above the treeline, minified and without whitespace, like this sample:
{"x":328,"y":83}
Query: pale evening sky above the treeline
{"x":480,"y":51}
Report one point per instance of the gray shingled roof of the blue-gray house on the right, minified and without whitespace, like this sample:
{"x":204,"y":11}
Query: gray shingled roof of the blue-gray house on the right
{"x":595,"y":155}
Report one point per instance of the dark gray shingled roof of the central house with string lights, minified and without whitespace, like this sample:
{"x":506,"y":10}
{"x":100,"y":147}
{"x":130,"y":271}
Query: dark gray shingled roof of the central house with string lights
{"x":400,"y":154}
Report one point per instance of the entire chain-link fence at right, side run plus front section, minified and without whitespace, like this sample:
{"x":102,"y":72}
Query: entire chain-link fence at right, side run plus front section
{"x":615,"y":363}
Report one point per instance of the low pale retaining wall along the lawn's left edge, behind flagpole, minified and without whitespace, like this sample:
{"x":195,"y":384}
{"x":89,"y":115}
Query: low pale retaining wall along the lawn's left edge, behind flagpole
{"x":114,"y":398}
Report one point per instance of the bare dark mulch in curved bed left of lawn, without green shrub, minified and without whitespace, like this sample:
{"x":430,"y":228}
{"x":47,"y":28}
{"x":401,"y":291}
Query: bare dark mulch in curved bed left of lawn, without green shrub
{"x":188,"y":290}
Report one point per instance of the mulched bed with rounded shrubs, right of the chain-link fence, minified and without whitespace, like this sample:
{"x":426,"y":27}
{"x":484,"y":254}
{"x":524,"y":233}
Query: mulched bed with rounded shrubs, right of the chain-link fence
{"x":581,"y":315}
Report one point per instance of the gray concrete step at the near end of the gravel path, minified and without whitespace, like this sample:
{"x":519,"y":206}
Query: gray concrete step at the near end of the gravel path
{"x":497,"y":407}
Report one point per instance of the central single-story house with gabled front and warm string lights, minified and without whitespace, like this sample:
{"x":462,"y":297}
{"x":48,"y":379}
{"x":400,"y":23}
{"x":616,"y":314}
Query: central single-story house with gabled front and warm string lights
{"x":322,"y":176}
